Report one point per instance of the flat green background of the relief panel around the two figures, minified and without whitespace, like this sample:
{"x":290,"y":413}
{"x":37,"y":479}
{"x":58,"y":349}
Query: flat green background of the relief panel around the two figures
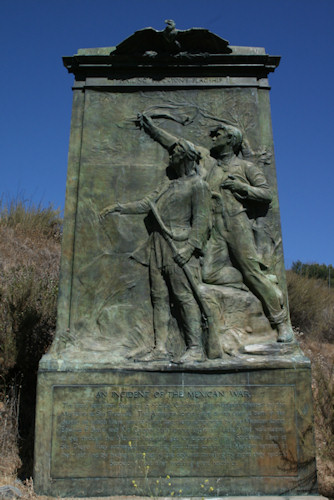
{"x":112,"y":160}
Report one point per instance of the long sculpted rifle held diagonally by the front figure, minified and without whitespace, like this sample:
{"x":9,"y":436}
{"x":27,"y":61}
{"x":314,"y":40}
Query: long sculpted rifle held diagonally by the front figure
{"x":214,"y":349}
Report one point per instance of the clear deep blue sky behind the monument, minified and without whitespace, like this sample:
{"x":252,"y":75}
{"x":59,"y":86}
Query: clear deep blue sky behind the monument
{"x":36,"y":94}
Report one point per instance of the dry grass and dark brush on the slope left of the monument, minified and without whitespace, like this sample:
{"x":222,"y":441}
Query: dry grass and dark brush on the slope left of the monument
{"x":29,"y":267}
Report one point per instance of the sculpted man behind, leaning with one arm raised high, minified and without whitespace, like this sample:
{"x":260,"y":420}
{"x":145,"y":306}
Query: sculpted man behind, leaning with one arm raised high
{"x":239,"y":183}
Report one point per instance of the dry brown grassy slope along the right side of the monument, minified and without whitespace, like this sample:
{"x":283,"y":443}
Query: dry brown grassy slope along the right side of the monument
{"x":312,"y":310}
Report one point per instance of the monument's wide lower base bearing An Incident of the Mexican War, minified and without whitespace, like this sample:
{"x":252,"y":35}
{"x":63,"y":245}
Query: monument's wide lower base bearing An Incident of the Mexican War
{"x":213,"y":430}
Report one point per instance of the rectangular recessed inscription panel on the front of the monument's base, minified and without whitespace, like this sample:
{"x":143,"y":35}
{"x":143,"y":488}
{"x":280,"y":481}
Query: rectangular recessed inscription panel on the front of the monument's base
{"x":112,"y":431}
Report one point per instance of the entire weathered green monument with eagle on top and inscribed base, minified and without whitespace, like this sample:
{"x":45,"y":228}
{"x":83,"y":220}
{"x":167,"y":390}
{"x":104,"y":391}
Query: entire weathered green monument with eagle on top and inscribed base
{"x":174,"y":370}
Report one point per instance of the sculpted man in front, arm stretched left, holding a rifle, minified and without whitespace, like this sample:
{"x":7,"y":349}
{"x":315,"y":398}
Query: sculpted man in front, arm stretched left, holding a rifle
{"x":183,"y":205}
